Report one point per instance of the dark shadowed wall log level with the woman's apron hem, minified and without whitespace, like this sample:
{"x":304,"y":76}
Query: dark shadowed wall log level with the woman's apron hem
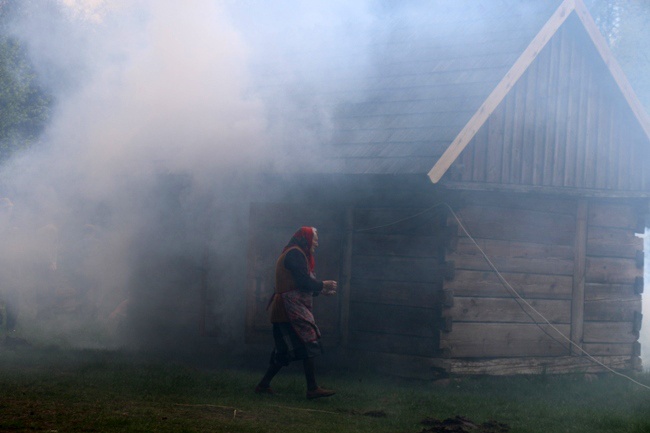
{"x":388,"y":343}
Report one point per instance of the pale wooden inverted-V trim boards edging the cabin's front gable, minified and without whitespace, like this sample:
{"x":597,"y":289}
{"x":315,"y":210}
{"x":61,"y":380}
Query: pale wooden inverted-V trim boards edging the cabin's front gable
{"x":520,"y":66}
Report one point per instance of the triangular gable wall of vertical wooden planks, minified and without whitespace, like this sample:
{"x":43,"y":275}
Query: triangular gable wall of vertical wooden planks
{"x":564,"y":124}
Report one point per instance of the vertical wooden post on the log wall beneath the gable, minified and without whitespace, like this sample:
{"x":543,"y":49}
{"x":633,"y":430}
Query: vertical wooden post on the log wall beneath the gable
{"x":579,"y":270}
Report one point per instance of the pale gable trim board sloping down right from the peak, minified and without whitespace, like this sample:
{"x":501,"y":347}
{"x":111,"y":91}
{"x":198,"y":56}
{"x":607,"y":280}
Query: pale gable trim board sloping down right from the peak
{"x":613,"y":66}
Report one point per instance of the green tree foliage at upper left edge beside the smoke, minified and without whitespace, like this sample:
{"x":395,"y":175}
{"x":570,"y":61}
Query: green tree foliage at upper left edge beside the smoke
{"x":24,"y":104}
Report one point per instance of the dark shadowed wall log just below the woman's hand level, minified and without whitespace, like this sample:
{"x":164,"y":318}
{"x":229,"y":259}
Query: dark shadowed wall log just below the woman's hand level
{"x":394,"y":319}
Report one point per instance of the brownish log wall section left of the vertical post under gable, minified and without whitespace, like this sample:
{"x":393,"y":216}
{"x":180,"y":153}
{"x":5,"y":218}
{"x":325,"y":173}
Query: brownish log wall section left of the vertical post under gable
{"x":531,"y":242}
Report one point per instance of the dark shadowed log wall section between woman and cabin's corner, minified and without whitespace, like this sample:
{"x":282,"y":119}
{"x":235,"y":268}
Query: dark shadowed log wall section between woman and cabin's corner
{"x":396,"y":281}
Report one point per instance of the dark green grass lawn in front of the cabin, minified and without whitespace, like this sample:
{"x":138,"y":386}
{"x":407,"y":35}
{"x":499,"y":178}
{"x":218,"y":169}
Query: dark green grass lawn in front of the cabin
{"x":92,"y":391}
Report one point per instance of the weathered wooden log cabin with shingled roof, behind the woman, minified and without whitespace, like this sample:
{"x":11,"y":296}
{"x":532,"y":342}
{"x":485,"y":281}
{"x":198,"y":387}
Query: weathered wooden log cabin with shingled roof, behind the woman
{"x":481,"y":200}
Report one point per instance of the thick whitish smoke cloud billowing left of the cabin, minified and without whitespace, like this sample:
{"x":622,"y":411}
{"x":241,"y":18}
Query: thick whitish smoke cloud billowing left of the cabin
{"x":152,"y":116}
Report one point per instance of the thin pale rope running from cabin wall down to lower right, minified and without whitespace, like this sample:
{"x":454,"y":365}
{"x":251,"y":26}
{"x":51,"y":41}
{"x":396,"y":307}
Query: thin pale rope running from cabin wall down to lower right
{"x":514,"y":292}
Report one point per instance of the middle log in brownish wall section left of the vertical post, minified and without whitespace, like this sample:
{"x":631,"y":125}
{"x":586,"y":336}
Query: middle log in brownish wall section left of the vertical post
{"x":486,"y":283}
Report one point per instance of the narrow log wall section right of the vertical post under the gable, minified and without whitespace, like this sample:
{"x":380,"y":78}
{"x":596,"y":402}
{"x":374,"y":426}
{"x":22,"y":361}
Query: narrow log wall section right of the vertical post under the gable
{"x":613,"y":283}
